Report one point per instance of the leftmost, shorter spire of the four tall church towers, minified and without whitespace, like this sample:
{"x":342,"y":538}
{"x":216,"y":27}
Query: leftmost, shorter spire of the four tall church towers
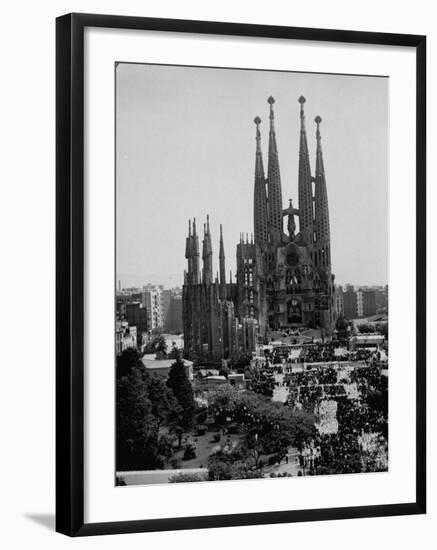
{"x":260,"y":196}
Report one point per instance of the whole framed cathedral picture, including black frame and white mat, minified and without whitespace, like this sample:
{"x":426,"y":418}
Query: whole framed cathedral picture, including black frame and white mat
{"x":240,"y":274}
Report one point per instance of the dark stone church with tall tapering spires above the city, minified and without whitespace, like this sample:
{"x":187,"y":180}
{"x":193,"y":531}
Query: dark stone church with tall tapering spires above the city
{"x":283,"y":280}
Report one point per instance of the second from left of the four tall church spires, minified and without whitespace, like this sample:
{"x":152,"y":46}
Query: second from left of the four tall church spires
{"x":274,"y":183}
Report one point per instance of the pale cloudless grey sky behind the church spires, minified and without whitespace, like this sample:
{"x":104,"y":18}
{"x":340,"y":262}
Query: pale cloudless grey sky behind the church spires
{"x":185,"y":147}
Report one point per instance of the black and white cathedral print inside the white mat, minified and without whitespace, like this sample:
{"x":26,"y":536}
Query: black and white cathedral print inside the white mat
{"x":251,"y":297}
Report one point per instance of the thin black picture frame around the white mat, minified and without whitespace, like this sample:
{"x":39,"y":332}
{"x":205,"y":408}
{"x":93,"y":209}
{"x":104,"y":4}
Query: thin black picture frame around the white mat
{"x":70,"y":273}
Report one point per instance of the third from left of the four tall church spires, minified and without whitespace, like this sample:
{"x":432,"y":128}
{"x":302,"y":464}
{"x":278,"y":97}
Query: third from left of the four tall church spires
{"x":305,"y":183}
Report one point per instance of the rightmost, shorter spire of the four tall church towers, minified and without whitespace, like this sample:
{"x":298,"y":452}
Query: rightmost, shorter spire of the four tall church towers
{"x":321,"y":216}
